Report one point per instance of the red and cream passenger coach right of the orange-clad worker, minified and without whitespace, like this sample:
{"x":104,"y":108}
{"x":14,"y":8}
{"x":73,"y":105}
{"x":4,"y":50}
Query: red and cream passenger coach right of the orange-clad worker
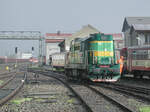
{"x":137,"y":60}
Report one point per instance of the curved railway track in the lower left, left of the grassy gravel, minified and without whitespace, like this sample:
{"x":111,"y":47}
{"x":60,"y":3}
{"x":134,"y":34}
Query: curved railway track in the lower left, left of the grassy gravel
{"x":11,"y":87}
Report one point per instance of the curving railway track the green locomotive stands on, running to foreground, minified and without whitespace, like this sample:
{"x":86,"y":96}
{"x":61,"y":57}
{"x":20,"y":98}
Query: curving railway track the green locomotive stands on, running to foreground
{"x":90,"y":107}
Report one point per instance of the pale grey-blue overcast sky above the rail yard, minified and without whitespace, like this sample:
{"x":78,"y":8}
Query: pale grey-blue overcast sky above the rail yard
{"x":66,"y":15}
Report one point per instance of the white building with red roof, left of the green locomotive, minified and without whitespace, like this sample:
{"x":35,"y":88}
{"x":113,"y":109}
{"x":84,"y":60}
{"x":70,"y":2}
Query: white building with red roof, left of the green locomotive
{"x":52,"y":41}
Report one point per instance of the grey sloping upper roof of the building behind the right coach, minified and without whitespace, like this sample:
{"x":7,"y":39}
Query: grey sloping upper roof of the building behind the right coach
{"x":129,"y":21}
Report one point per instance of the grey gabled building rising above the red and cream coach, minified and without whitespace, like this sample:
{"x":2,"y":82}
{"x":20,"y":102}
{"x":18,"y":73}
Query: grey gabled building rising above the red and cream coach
{"x":136,"y":31}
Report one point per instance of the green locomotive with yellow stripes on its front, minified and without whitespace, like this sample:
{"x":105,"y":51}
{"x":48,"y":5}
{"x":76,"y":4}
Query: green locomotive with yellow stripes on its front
{"x":92,"y":58}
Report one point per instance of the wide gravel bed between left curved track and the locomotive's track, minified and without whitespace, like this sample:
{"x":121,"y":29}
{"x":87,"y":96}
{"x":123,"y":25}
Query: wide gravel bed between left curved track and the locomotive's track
{"x":43,"y":95}
